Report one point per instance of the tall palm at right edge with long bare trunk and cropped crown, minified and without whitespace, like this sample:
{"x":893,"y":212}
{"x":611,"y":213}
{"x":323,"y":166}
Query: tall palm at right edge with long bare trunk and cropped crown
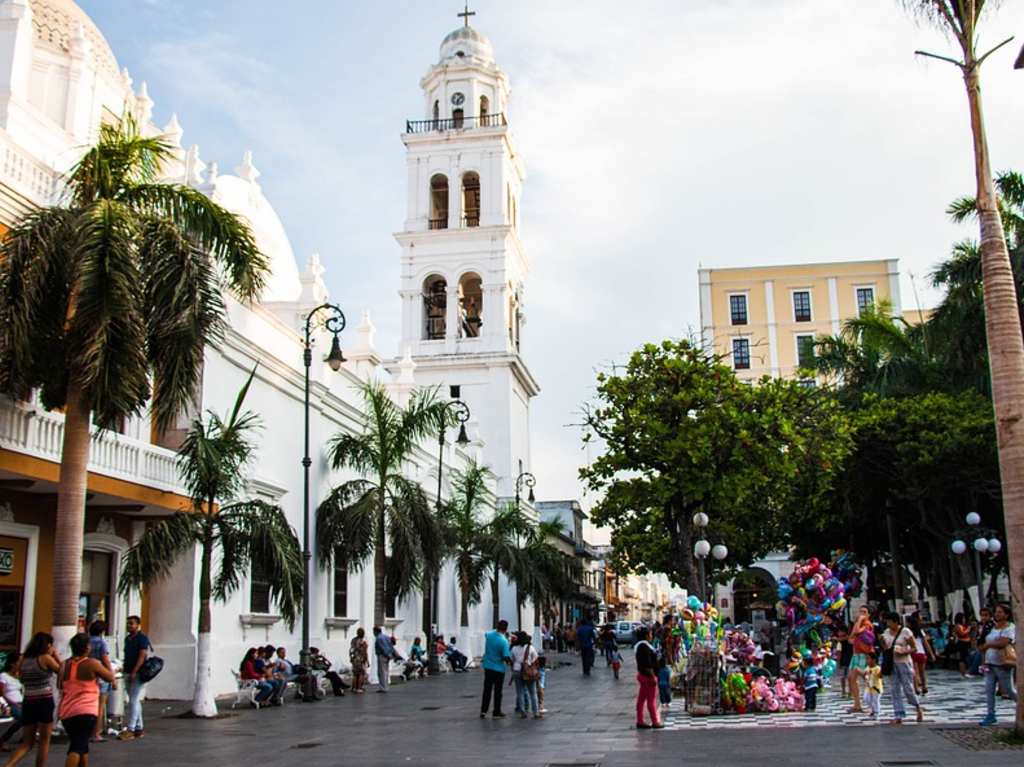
{"x":960,"y":20}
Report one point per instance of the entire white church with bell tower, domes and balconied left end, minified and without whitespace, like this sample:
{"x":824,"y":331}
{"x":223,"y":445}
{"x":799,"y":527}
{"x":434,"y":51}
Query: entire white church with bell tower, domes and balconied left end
{"x":462,"y":303}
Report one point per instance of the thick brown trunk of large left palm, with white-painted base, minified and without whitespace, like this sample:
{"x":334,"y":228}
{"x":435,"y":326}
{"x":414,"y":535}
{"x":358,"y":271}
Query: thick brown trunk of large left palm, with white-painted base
{"x":71,"y":519}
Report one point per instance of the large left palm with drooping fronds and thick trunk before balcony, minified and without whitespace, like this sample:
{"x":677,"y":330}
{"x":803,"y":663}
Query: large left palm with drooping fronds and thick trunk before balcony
{"x":107,"y":303}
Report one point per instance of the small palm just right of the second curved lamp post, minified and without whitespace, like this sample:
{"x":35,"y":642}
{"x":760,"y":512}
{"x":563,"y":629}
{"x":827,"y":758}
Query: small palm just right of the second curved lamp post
{"x":466,"y":535}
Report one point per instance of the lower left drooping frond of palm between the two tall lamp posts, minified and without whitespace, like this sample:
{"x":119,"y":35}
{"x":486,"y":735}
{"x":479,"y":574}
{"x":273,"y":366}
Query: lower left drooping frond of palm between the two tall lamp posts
{"x":346,"y":525}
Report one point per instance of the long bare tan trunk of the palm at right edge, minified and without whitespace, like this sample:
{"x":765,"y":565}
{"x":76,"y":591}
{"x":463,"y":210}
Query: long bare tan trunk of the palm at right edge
{"x":1006,"y":356}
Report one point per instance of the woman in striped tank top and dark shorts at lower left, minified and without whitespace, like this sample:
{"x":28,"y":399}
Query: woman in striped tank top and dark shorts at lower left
{"x":38,"y":665}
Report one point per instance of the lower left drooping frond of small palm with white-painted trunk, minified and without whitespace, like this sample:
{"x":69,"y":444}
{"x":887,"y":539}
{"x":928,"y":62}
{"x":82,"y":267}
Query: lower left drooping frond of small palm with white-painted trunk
{"x":158,"y":550}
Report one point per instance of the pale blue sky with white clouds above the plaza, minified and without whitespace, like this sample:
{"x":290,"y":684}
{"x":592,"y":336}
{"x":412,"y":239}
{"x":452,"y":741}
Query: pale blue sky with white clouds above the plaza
{"x":658,"y":138}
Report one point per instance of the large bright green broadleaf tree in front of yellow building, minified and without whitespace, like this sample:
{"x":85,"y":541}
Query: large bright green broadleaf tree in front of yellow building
{"x":681,"y":435}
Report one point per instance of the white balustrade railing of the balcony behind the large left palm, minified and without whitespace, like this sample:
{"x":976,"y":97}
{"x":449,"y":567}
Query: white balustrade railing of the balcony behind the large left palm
{"x":33,"y":432}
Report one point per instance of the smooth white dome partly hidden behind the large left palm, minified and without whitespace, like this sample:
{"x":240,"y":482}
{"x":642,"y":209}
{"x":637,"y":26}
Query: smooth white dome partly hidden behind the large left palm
{"x":246,"y":199}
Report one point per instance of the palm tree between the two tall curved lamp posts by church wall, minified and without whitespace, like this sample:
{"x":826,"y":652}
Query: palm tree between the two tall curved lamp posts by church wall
{"x":383,"y":510}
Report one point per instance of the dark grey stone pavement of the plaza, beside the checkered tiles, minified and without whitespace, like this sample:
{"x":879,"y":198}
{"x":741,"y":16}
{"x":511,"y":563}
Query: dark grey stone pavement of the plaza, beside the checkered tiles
{"x":437,"y":722}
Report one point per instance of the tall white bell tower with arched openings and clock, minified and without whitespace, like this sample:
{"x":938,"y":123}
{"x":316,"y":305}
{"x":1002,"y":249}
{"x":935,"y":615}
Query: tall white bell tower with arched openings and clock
{"x":463,"y":267}
